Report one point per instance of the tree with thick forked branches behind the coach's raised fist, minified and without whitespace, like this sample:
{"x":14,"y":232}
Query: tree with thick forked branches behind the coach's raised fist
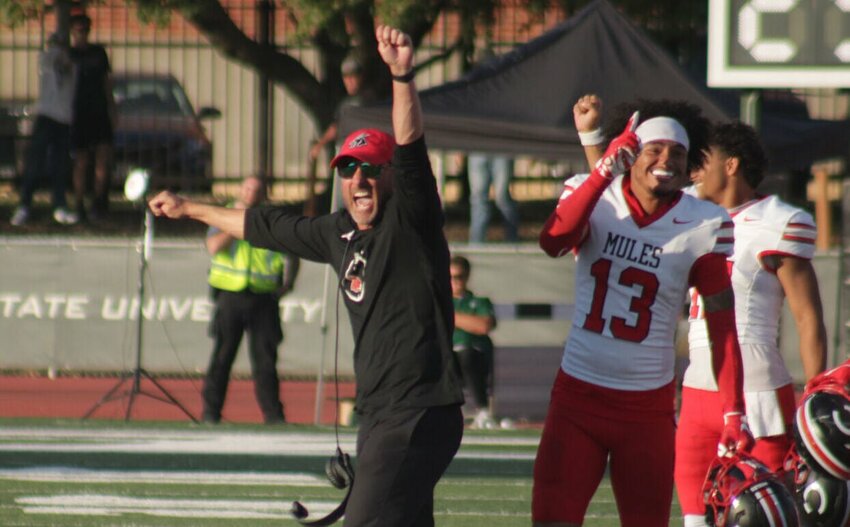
{"x":335,"y":28}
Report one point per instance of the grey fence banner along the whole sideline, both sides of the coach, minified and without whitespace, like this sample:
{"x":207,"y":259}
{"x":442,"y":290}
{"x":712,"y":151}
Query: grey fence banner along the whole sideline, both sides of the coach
{"x":70,"y":304}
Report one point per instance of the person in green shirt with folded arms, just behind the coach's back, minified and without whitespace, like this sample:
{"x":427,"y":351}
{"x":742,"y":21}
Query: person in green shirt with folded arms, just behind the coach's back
{"x":474,"y":320}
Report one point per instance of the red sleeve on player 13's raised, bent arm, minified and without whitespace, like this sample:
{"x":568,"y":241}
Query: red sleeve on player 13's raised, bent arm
{"x":565,"y":227}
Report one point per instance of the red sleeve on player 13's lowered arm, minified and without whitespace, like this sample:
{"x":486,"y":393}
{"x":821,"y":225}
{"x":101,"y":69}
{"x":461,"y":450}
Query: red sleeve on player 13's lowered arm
{"x":710,"y":277}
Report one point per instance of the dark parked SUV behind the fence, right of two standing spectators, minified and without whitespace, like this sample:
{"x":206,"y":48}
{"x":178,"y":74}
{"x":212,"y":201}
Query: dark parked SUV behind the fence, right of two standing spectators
{"x":159,"y":130}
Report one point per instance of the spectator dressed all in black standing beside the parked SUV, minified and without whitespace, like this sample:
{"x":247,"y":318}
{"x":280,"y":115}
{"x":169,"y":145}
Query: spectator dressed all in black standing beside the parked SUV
{"x":93,"y":118}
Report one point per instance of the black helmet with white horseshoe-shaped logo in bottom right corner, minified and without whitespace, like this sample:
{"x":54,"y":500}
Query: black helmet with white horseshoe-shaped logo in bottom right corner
{"x":822,"y":501}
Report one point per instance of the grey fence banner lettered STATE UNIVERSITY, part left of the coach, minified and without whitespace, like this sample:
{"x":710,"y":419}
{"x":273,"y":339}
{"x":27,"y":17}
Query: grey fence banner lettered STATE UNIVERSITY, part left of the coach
{"x":72,"y":304}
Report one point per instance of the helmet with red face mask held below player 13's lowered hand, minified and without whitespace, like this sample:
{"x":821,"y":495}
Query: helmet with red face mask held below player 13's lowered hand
{"x":741,"y":492}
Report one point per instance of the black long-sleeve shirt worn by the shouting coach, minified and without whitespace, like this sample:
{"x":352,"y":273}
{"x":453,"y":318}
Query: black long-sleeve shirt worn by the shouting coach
{"x":395,"y":282}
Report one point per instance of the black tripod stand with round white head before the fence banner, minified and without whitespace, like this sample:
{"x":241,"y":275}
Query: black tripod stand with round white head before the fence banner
{"x":134,"y":189}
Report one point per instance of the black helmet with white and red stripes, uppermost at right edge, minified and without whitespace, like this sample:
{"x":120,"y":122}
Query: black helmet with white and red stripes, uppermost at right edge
{"x":822,"y":430}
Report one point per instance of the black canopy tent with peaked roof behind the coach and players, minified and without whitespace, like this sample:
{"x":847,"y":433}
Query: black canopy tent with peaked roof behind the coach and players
{"x":521,"y":102}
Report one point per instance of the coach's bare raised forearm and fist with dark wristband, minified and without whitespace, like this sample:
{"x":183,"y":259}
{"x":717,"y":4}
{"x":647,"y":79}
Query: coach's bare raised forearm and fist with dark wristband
{"x":396,"y":50}
